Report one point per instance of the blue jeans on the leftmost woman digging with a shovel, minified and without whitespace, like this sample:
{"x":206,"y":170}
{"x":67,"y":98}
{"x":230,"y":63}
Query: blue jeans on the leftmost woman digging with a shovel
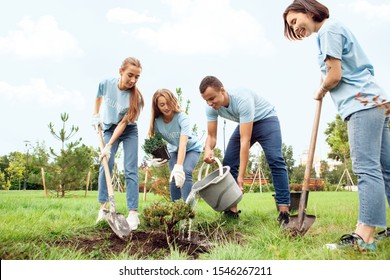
{"x":129,"y":138}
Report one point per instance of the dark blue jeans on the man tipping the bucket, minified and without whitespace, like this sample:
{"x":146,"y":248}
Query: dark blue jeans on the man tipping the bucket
{"x":267,"y":133}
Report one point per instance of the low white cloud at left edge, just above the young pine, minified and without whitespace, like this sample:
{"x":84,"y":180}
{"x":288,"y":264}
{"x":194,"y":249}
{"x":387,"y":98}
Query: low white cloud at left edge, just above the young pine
{"x":37,"y":92}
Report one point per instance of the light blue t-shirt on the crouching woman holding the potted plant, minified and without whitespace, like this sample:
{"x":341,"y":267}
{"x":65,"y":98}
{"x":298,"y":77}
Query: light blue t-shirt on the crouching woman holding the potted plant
{"x":171,"y":132}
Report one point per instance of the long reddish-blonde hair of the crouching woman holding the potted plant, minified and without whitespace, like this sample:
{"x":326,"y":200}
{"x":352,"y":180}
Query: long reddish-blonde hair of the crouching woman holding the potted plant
{"x":155,"y":113}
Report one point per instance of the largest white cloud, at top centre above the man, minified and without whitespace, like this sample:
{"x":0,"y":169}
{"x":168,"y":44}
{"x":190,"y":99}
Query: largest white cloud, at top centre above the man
{"x":208,"y":27}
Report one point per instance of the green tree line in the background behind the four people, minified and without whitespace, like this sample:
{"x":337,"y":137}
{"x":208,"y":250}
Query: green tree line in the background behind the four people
{"x":68,"y":168}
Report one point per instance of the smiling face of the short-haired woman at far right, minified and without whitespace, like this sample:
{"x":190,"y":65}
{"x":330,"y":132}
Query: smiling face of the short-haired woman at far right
{"x":302,"y":24}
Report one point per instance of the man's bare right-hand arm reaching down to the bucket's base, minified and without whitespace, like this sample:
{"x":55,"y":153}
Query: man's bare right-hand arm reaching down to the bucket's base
{"x":245,"y":138}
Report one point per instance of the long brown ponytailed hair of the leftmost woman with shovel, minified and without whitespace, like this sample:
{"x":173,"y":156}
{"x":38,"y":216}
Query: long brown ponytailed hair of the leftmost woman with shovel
{"x":136,"y":98}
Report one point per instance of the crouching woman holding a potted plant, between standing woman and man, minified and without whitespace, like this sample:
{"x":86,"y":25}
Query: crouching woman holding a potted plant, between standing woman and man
{"x":174,"y":125}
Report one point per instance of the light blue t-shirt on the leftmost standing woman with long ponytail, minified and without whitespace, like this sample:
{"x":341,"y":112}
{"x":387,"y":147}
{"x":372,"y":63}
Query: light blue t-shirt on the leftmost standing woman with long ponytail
{"x":115,"y":103}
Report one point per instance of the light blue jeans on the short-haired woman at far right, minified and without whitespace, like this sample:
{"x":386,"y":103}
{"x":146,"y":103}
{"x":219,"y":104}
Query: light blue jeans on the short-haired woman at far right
{"x":369,"y":139}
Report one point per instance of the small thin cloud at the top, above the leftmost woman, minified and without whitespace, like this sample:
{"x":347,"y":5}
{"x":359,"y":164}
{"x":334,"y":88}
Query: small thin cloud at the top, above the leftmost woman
{"x":127,"y":16}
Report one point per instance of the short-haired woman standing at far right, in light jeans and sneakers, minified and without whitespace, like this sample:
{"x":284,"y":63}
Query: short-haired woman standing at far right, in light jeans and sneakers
{"x":348,"y":75}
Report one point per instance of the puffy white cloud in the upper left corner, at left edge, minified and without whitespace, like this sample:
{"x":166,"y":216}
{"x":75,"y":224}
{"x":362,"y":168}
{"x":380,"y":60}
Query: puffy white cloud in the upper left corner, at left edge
{"x":40,"y":39}
